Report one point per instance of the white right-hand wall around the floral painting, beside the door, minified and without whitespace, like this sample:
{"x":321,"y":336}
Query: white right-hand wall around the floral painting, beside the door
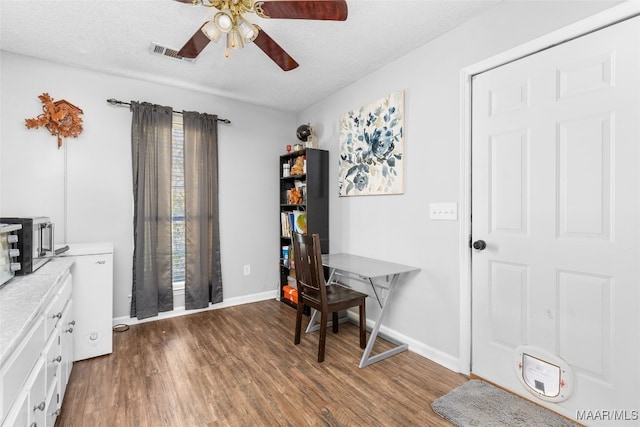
{"x":426,"y":311}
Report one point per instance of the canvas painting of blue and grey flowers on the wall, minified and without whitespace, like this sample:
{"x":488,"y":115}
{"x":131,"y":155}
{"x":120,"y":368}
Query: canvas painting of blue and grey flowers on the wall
{"x":372,"y":148}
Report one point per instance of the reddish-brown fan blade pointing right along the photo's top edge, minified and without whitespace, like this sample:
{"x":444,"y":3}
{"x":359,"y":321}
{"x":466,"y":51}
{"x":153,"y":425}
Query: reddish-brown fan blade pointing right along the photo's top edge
{"x":329,"y":10}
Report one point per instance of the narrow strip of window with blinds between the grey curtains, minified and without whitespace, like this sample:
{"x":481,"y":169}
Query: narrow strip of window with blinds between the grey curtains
{"x":177,"y":204}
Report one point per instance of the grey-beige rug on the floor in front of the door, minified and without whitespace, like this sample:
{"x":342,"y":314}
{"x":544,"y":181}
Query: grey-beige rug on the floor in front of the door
{"x":479,"y":404}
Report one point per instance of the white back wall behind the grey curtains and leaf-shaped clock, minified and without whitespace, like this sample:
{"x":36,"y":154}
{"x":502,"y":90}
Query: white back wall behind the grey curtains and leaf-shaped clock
{"x":98,"y":168}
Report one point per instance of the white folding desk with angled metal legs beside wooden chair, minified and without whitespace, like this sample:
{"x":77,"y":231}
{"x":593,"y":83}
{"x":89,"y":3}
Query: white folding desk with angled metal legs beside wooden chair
{"x":382,"y":276}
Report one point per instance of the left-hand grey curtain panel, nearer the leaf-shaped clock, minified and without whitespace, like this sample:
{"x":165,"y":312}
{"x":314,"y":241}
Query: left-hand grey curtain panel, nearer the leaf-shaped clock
{"x":151,"y":155}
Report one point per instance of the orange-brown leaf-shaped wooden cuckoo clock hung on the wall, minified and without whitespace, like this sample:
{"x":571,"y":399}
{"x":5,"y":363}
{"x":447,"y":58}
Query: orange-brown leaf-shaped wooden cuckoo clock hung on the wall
{"x":61,"y":118}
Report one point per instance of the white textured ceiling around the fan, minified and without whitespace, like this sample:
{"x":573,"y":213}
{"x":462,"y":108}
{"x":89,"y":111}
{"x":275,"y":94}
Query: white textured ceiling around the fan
{"x":114,"y":36}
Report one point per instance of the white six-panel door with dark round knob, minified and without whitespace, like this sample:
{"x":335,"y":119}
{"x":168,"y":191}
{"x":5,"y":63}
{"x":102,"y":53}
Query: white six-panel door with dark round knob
{"x":556,"y":198}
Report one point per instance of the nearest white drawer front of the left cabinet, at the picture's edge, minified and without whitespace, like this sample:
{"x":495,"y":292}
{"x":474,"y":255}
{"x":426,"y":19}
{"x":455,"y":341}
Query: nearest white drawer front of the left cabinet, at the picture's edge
{"x":18,"y":366}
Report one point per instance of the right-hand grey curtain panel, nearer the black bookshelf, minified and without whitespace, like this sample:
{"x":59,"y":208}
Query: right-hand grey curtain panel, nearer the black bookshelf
{"x":203,"y":281}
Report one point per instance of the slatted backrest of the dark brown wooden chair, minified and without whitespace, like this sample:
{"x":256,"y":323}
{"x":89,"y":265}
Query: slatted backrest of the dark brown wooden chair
{"x":309,"y":271}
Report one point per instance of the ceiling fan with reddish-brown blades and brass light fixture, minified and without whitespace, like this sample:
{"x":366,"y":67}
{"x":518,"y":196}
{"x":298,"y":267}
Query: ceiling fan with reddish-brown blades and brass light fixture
{"x":230,"y":21}
